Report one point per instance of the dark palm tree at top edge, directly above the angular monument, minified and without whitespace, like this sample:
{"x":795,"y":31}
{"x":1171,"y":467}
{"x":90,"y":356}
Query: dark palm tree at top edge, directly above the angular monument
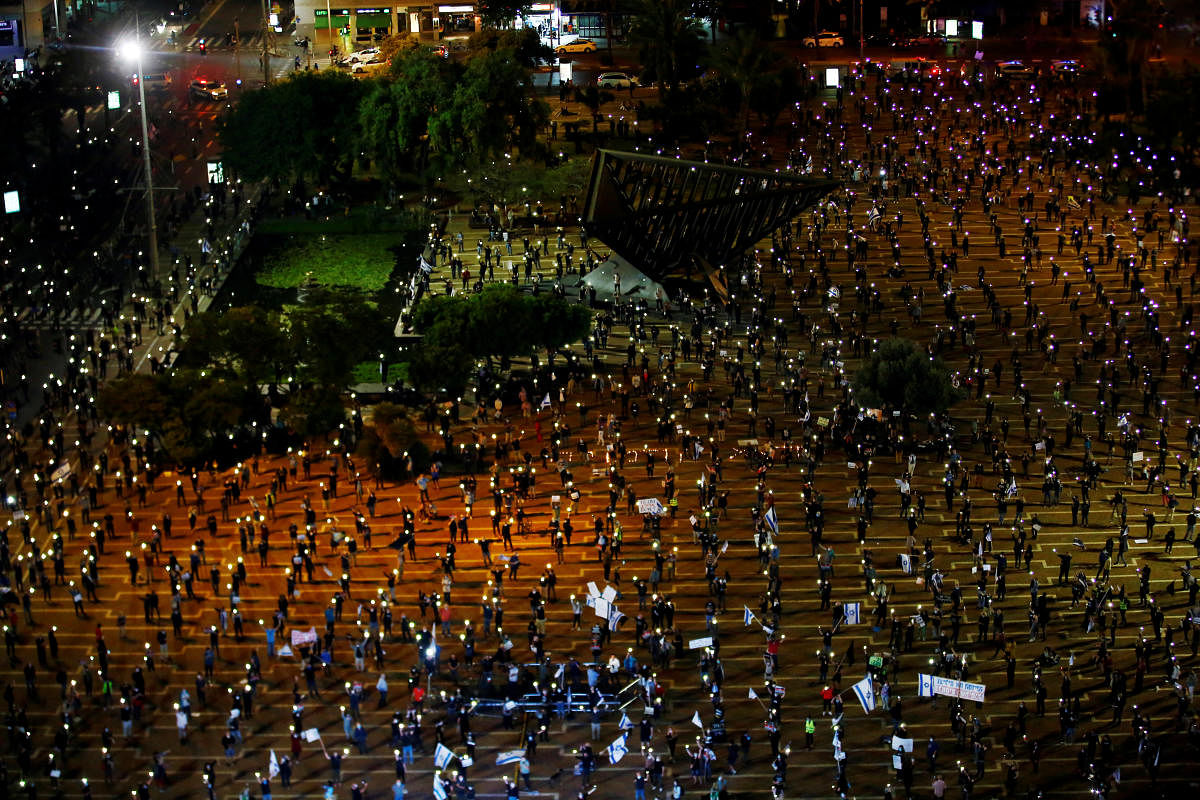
{"x":669,"y":40}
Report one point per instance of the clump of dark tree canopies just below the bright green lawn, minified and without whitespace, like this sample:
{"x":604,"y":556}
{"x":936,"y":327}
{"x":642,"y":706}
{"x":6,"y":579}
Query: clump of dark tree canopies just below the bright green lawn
{"x":304,"y":356}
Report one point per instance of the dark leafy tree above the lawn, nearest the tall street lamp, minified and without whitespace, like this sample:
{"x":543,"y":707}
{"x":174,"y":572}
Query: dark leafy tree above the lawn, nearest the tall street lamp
{"x":302,"y":128}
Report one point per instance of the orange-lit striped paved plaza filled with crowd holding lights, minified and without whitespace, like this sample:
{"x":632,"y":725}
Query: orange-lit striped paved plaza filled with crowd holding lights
{"x":1035,"y":346}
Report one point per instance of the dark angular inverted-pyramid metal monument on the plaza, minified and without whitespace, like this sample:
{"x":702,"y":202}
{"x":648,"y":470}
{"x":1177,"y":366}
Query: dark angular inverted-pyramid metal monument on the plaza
{"x":682,"y":221}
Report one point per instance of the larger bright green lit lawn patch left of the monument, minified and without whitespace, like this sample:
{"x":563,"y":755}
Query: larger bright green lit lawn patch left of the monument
{"x":359,"y":261}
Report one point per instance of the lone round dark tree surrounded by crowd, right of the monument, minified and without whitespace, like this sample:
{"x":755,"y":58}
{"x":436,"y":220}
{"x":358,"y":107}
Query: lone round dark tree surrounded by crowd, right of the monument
{"x":899,"y":375}
